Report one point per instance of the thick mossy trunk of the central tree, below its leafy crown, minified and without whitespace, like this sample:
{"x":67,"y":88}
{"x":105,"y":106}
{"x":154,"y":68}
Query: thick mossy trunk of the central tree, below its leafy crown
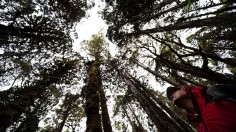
{"x":92,"y":99}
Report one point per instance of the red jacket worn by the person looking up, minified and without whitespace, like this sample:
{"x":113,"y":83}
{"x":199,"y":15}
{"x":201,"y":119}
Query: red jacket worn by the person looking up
{"x":218,"y":116}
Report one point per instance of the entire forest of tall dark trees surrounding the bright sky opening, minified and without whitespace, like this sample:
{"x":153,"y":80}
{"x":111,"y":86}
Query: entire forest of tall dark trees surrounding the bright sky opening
{"x":44,"y":81}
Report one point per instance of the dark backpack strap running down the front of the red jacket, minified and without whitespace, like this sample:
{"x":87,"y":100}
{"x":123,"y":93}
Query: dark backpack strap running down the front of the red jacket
{"x":197,"y":109}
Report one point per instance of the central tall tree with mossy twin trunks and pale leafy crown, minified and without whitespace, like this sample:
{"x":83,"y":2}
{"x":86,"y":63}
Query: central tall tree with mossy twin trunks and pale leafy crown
{"x":94,"y":92}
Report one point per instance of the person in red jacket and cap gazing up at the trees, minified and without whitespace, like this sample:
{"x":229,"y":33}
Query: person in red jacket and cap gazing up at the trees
{"x":209,"y":115}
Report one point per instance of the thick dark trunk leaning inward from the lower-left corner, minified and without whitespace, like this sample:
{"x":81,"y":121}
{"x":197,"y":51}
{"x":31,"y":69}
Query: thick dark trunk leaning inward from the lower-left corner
{"x":22,"y":99}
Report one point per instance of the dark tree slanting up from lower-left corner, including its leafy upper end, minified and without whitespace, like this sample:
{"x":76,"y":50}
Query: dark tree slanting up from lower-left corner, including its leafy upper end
{"x":17,"y":100}
